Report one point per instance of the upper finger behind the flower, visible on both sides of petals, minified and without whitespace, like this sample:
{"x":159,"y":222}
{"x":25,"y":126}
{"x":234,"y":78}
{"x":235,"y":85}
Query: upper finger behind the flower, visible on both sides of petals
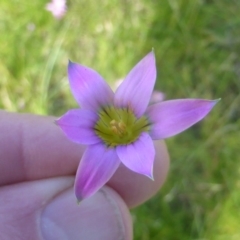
{"x":32,"y":147}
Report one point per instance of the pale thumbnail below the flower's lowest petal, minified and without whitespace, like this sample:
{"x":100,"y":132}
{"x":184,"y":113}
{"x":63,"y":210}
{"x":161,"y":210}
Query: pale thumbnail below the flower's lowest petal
{"x":98,"y":217}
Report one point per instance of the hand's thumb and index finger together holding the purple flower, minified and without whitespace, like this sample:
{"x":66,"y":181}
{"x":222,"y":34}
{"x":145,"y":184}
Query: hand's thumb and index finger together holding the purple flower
{"x":37,"y":168}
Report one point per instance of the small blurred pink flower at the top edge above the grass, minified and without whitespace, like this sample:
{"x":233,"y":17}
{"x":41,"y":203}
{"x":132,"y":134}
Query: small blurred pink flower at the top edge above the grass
{"x":57,"y":7}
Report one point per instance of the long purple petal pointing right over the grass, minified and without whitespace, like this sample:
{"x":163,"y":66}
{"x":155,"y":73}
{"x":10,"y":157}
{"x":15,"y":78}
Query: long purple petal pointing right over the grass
{"x":172,"y":117}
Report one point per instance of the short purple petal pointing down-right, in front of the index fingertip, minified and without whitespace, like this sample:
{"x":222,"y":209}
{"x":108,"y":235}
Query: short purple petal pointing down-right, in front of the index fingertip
{"x":138,"y":156}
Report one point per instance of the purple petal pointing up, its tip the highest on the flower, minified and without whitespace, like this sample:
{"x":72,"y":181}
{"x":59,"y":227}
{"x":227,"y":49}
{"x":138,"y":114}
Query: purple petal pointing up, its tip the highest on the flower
{"x":135,"y":91}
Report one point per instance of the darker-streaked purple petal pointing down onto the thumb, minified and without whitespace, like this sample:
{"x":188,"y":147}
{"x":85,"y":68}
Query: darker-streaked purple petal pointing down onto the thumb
{"x":97,"y":166}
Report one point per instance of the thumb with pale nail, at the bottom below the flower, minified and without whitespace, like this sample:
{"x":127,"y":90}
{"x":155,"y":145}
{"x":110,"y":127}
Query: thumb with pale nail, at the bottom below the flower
{"x":47,"y":209}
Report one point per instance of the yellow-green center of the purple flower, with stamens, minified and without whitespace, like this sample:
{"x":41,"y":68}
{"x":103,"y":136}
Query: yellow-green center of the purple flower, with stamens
{"x":119,"y":126}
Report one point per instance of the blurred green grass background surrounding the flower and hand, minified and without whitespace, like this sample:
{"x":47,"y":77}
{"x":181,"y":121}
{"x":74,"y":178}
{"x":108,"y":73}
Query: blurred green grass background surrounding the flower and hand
{"x":197,"y":46}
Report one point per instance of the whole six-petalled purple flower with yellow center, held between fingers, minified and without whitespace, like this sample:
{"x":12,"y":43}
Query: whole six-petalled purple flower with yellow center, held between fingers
{"x":120,"y":127}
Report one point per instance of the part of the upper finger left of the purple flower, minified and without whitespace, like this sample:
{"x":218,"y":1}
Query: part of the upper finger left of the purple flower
{"x":33,"y":147}
